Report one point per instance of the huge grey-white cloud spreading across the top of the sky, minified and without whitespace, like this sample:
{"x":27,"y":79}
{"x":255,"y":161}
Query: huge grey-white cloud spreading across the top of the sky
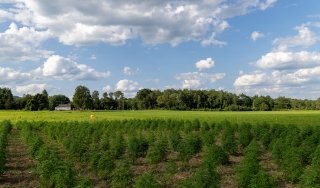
{"x":116,"y":22}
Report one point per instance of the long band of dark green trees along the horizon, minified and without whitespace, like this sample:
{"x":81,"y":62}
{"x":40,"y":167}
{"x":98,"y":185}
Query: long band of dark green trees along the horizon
{"x":169,"y":99}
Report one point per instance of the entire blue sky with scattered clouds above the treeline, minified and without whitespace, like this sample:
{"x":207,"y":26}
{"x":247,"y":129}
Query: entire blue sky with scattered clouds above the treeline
{"x":256,"y":47}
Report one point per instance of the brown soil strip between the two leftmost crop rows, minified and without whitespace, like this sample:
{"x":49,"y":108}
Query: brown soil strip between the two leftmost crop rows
{"x":18,"y":171}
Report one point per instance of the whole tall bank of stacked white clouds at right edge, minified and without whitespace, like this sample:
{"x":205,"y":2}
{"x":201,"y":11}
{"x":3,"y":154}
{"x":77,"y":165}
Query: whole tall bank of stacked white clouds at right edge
{"x":289,"y":69}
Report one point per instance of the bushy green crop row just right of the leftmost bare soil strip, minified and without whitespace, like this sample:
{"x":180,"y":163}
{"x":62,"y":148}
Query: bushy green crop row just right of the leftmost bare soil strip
{"x":50,"y":169}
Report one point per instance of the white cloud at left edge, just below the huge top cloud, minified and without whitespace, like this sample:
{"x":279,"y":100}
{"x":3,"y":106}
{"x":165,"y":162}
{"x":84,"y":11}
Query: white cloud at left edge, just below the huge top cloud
{"x":22,"y":44}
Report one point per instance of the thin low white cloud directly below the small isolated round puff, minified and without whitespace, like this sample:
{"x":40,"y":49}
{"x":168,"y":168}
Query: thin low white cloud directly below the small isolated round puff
{"x":196,"y":80}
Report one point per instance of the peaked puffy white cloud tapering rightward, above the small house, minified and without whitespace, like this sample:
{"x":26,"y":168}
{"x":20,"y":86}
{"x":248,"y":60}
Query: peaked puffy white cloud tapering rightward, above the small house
{"x":63,"y":68}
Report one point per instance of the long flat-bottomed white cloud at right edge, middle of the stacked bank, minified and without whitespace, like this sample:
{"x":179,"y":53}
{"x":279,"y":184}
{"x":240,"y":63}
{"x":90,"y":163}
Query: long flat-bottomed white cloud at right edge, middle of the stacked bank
{"x":289,"y":60}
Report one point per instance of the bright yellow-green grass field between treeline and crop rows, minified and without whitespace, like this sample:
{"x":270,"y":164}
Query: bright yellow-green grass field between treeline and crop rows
{"x":282,"y":117}
